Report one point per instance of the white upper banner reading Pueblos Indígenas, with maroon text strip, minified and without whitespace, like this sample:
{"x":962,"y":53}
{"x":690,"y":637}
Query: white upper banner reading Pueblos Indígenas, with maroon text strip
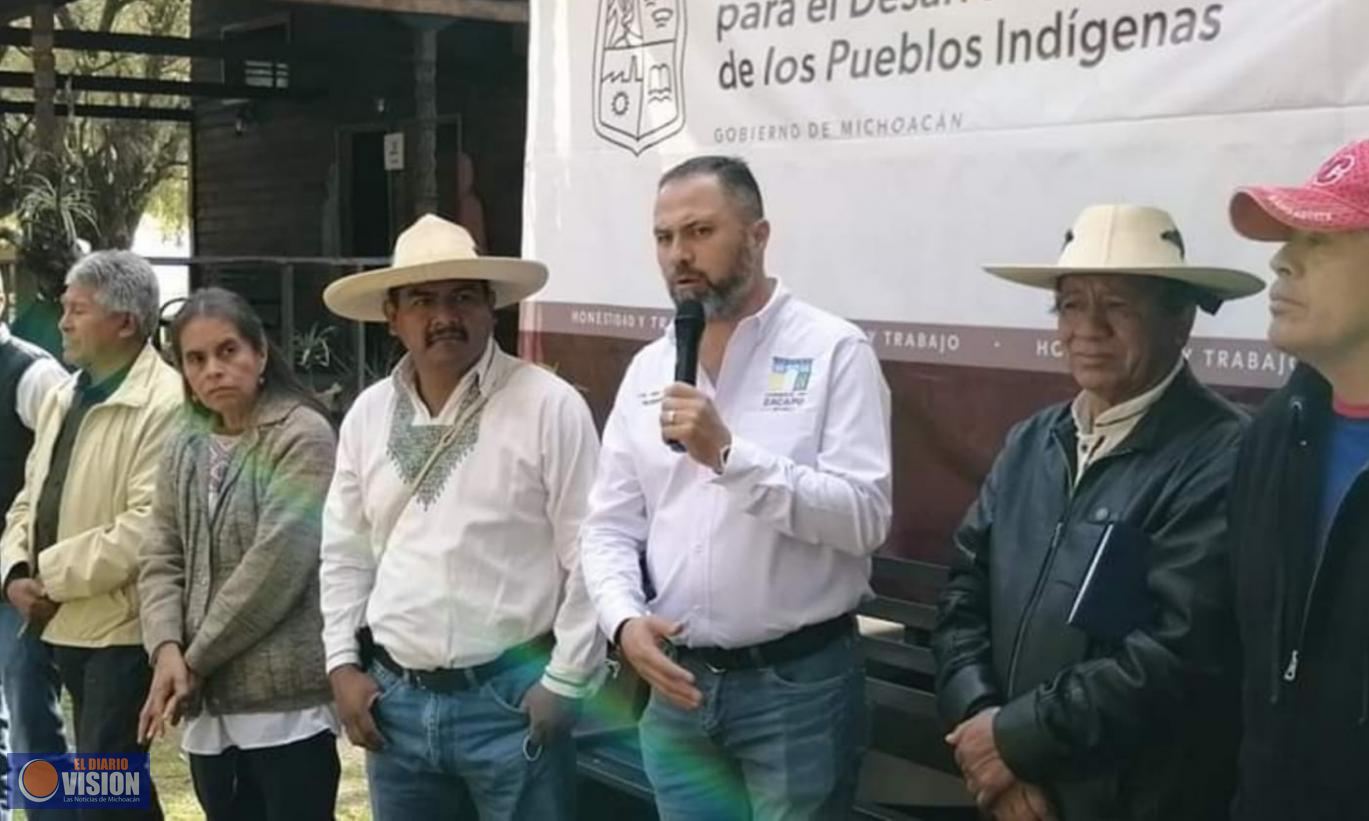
{"x":901,"y":144}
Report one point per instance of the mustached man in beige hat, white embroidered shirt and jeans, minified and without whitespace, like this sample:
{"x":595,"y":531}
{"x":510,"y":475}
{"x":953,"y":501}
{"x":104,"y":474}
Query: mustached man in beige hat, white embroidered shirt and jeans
{"x":458,"y":630}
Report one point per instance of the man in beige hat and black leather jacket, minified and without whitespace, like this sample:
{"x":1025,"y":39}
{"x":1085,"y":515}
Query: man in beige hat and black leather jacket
{"x":1084,"y":644}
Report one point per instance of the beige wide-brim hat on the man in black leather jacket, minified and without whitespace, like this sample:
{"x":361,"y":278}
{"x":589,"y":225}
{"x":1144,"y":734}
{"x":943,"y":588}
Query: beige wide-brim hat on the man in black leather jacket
{"x":1131,"y":240}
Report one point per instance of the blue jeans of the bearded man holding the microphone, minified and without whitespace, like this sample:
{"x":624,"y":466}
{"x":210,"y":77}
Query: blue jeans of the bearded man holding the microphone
{"x":771,"y":744}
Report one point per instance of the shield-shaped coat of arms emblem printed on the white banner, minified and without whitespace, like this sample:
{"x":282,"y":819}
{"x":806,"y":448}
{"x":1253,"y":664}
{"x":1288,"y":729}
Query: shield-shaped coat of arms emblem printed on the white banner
{"x":639,"y":72}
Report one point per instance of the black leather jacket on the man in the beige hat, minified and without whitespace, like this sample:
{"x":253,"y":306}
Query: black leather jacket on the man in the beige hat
{"x":1140,"y":729}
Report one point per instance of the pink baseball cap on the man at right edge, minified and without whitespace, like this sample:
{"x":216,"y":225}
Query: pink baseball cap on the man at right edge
{"x":1337,"y":199}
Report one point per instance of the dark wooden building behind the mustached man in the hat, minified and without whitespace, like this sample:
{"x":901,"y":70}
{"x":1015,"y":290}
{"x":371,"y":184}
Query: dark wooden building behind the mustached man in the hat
{"x":336,"y":168}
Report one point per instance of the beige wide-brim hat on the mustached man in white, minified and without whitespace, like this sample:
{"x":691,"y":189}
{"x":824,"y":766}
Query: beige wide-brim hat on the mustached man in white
{"x":433,"y":250}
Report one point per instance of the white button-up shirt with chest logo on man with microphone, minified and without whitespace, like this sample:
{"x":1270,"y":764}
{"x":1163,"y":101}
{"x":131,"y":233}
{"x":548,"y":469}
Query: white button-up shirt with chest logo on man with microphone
{"x":784,"y":537}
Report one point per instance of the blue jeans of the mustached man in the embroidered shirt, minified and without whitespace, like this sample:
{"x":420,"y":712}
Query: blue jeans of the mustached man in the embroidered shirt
{"x":444,"y":752}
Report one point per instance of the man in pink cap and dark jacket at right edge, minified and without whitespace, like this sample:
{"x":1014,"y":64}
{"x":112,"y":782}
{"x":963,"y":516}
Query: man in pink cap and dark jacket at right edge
{"x":1300,"y":508}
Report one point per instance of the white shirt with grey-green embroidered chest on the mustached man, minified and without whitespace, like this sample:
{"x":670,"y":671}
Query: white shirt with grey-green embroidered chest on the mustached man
{"x":485,"y":555}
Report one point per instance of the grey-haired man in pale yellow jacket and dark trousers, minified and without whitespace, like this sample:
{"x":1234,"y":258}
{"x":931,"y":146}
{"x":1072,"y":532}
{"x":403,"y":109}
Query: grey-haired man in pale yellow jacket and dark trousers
{"x":71,"y":549}
